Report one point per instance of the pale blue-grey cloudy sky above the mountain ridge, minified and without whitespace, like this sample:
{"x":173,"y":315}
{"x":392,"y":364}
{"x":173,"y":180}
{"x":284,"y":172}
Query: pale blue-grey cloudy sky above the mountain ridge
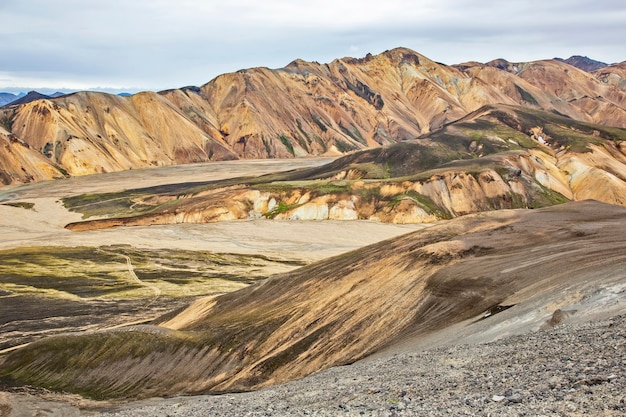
{"x":137,"y":45}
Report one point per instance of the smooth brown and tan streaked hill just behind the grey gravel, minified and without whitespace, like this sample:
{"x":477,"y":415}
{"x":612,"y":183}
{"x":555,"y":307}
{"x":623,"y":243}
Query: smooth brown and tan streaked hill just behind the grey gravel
{"x":533,"y":263}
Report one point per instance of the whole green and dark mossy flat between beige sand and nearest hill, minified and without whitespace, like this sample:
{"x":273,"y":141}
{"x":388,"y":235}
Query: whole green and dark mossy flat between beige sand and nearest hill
{"x":49,"y":290}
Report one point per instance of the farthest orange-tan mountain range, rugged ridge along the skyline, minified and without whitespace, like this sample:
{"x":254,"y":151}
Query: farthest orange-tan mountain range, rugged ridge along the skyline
{"x":305,"y":108}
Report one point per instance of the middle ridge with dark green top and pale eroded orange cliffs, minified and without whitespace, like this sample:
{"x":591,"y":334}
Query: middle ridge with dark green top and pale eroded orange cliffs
{"x":494,"y":158}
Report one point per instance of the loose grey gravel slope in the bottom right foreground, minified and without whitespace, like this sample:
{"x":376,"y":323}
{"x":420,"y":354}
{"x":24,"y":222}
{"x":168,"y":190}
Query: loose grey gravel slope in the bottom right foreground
{"x":568,"y":371}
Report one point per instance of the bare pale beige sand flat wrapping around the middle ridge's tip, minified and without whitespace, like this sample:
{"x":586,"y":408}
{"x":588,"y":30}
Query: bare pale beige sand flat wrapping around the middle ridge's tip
{"x":44,"y":224}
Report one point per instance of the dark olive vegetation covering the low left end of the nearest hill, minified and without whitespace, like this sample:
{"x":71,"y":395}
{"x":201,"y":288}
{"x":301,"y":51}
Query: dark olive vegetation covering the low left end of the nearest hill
{"x":72,"y":363}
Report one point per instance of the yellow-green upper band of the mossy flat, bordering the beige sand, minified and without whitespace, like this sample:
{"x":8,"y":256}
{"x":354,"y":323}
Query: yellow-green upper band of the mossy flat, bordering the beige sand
{"x":107,"y":272}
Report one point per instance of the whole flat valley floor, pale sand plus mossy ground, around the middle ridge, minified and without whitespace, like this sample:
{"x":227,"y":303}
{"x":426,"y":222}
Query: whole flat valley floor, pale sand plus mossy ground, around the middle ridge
{"x":56,"y":281}
